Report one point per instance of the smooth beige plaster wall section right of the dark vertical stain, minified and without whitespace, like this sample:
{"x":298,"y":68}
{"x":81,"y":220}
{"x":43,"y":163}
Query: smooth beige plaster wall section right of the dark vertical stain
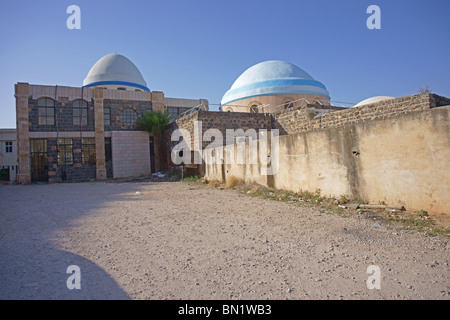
{"x":407,"y":161}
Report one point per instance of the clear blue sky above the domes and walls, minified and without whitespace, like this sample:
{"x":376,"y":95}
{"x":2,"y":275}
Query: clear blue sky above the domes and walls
{"x":196,"y":49}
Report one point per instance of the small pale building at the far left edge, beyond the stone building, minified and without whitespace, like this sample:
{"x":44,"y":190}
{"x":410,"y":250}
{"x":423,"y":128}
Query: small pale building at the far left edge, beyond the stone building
{"x":8,"y":154}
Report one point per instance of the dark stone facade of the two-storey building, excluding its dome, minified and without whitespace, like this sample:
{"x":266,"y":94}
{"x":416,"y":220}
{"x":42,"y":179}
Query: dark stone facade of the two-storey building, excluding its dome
{"x":98,"y":99}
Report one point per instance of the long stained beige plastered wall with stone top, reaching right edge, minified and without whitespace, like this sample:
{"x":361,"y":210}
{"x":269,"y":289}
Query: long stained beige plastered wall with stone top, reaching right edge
{"x":395,"y":151}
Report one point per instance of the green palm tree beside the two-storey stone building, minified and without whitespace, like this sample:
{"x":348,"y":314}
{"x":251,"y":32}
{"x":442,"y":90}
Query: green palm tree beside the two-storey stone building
{"x":155,"y":122}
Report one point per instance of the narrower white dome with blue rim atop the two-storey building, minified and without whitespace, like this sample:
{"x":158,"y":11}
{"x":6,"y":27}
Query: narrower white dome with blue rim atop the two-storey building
{"x":115,"y":70}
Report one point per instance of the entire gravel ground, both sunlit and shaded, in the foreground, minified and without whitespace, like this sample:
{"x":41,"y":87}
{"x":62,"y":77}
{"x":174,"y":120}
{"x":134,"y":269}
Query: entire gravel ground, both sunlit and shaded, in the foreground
{"x":172,"y":240}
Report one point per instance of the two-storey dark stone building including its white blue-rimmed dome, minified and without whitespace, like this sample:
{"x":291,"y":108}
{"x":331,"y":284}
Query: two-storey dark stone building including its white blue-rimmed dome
{"x":90,"y":132}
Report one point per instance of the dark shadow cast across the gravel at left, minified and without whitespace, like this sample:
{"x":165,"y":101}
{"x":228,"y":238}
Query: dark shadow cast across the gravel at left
{"x":32,"y":266}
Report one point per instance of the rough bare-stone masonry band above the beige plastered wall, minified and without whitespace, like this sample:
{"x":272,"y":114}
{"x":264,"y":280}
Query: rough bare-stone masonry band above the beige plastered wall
{"x":311,"y":117}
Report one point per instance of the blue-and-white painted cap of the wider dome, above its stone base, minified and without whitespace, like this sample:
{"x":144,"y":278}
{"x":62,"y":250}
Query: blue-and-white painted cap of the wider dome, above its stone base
{"x":273,"y":77}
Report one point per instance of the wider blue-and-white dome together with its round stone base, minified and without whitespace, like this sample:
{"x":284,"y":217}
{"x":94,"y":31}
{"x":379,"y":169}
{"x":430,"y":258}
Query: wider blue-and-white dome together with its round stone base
{"x":273,"y":86}
